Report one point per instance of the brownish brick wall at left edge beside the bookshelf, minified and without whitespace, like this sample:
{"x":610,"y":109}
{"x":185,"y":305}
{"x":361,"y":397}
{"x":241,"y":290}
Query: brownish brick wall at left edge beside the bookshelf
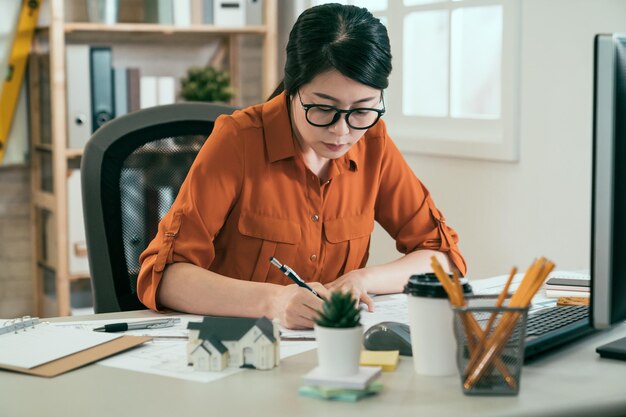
{"x":16,"y":277}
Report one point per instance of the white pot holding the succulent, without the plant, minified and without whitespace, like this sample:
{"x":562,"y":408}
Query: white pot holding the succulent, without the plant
{"x":338,"y":350}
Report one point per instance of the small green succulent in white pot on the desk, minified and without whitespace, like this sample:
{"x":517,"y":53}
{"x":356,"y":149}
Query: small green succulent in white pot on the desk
{"x":339,"y":335}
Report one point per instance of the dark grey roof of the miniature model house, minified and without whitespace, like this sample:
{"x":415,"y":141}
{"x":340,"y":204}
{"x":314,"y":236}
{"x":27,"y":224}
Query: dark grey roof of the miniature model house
{"x":231,"y":328}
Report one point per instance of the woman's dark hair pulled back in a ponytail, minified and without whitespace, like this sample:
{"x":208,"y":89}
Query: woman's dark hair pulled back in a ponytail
{"x":348,"y":39}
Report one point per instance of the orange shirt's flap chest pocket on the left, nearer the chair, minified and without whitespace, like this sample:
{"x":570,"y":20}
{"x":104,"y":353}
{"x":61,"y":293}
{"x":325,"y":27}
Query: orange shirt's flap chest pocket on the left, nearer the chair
{"x":263,"y":237}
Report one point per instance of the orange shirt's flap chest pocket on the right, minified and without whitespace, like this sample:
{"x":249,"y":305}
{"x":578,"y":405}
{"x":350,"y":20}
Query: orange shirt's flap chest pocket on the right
{"x":351,"y":235}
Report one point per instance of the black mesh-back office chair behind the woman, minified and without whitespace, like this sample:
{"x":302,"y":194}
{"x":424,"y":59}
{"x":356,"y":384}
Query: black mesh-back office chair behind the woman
{"x":131,"y":170}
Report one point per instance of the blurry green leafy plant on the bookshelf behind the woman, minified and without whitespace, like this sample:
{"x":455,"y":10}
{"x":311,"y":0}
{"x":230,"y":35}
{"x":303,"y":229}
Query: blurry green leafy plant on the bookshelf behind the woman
{"x":206,"y":84}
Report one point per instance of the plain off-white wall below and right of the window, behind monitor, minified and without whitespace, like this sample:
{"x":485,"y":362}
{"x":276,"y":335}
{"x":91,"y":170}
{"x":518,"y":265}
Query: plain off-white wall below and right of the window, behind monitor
{"x":509,"y":213}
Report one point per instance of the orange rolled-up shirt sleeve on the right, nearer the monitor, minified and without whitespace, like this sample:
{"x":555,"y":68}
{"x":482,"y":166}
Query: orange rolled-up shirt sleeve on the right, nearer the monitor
{"x":405,"y":209}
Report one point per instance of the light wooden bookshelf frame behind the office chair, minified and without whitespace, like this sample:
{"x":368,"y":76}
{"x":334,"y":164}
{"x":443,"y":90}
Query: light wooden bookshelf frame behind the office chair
{"x":53,"y":161}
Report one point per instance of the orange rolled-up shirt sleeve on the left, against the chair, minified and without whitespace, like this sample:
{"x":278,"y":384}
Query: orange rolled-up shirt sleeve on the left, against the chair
{"x":186,"y":233}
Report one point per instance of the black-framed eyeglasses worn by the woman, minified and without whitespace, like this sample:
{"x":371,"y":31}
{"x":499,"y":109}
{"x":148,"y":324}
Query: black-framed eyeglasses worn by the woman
{"x":323,"y":115}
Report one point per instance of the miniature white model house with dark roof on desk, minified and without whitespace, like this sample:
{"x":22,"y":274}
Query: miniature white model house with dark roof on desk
{"x":218,"y":342}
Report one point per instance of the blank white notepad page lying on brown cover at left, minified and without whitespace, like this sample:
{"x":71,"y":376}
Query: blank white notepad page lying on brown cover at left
{"x":31,"y":345}
